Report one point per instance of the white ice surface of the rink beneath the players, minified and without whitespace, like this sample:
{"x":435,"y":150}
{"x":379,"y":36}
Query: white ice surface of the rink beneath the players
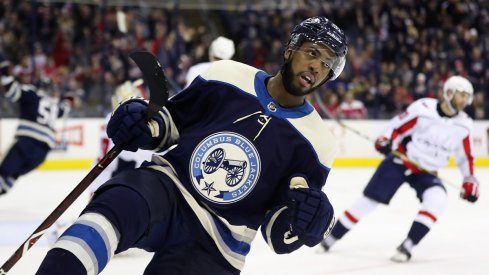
{"x":458,"y":244}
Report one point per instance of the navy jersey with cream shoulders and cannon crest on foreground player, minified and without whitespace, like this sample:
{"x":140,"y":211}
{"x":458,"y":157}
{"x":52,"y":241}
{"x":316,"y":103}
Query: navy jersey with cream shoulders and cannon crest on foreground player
{"x":236,"y":150}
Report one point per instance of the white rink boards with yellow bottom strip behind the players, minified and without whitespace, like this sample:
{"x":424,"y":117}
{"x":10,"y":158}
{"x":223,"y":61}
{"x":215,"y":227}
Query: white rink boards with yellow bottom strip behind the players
{"x":78,"y":142}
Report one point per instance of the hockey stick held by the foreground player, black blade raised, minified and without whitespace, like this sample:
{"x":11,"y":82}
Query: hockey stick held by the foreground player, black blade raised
{"x":156,"y":81}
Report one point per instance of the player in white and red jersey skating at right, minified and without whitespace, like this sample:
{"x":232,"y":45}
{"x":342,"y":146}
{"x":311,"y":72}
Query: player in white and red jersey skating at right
{"x":428,"y":132}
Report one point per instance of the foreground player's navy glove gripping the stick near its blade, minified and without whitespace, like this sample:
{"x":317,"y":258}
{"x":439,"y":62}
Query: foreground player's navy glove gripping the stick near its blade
{"x":128,"y":129}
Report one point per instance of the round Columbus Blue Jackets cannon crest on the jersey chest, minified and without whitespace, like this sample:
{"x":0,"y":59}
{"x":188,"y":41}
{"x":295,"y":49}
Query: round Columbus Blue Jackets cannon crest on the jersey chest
{"x":225,"y":167}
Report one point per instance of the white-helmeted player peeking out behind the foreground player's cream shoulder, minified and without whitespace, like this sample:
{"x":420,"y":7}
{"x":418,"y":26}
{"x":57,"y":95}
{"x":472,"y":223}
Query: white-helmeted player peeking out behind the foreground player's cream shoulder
{"x":221,"y":48}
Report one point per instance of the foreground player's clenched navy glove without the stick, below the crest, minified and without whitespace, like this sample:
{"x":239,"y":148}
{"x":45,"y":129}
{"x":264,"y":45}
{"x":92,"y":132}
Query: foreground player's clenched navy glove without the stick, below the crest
{"x":312,"y":215}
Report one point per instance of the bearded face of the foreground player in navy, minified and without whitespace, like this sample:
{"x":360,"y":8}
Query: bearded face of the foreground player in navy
{"x":306,"y":68}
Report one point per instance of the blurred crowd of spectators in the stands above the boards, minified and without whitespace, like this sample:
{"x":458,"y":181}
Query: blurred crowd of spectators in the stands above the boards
{"x":399,"y":51}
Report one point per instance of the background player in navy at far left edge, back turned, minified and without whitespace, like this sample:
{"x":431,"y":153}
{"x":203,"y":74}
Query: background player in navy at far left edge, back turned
{"x":34,"y":136}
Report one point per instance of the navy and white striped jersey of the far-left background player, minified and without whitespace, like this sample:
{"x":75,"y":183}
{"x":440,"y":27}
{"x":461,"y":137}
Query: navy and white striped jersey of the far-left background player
{"x":38,"y":112}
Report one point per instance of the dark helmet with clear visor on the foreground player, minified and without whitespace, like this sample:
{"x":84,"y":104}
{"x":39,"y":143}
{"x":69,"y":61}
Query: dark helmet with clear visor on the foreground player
{"x":321,"y":30}
